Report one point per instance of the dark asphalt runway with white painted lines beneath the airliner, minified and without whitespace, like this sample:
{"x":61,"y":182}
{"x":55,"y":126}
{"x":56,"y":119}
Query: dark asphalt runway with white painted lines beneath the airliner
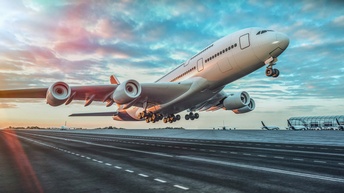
{"x":55,"y":161}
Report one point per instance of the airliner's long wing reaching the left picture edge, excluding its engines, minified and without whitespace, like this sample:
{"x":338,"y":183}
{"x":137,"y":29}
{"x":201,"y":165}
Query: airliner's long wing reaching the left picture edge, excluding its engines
{"x":152,"y":93}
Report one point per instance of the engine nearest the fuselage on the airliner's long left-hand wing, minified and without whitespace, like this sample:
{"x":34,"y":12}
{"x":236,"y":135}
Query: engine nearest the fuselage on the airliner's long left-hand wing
{"x":126,"y":92}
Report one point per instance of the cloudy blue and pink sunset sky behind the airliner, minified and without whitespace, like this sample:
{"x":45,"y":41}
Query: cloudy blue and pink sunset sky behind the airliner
{"x":83,"y":42}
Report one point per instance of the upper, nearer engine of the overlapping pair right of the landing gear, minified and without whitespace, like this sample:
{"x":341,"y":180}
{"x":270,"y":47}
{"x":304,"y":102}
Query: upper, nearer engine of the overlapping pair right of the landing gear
{"x":236,"y":101}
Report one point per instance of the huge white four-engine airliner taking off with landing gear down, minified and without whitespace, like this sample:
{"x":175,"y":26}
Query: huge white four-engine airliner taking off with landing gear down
{"x":195,"y":85}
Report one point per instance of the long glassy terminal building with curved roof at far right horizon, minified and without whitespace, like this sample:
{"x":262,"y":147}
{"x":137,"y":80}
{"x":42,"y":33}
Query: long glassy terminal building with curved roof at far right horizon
{"x":318,"y":122}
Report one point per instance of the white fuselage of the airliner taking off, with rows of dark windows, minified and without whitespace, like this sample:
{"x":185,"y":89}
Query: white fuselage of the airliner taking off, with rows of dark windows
{"x":219,"y":64}
